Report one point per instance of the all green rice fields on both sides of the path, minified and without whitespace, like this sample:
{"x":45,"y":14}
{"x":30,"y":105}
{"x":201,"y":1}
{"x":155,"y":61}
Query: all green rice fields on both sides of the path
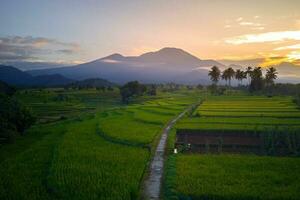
{"x":88,"y":144}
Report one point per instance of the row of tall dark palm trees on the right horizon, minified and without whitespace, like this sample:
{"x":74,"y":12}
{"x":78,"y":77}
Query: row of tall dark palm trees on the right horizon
{"x":254,"y":76}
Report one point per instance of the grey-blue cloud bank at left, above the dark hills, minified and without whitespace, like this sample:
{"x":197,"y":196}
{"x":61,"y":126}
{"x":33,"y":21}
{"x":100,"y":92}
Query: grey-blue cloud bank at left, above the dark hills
{"x":25,"y":48}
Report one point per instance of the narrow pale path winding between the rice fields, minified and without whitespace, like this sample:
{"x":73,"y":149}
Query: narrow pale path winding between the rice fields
{"x":153,"y":181}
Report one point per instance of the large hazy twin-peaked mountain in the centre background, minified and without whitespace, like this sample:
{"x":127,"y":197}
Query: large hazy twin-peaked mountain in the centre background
{"x":164,"y":65}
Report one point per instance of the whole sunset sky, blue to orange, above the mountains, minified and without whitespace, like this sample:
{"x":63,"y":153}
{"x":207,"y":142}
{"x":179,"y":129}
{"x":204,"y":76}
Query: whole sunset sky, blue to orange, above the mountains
{"x":76,"y":31}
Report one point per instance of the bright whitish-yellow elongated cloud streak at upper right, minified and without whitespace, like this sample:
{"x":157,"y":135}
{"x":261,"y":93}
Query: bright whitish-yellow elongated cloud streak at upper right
{"x":264,"y":37}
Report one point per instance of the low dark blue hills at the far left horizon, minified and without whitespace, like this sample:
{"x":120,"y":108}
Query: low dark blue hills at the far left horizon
{"x":14,"y":76}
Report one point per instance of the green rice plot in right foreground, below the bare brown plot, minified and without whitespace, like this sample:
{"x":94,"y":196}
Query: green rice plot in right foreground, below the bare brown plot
{"x":237,"y":177}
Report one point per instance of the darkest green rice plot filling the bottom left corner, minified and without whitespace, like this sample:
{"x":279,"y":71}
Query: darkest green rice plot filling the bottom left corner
{"x":25,"y":164}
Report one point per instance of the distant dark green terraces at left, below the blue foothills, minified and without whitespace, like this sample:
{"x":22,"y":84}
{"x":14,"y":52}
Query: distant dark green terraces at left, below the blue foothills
{"x":53,"y":104}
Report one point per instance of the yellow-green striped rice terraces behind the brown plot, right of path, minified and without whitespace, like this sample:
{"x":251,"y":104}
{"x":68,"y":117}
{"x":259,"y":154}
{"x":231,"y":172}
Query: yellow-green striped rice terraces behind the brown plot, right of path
{"x":244,"y":113}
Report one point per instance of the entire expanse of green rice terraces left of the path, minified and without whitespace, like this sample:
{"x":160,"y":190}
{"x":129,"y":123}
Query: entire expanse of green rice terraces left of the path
{"x":101,"y":154}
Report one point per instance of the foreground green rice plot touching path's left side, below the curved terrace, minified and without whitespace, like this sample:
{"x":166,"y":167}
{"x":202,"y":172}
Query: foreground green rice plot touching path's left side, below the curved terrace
{"x":87,"y":167}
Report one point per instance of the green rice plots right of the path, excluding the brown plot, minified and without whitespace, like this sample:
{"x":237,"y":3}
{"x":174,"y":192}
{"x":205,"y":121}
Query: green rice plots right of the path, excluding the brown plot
{"x":233,"y":176}
